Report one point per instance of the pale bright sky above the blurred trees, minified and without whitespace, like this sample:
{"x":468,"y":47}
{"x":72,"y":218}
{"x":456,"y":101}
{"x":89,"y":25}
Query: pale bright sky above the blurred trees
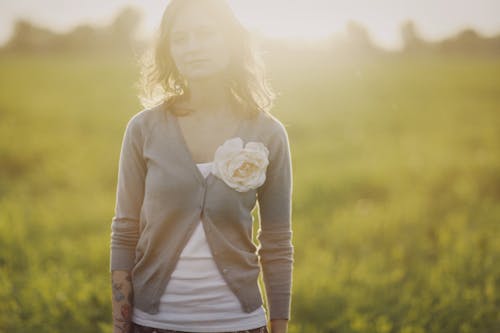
{"x":309,"y":19}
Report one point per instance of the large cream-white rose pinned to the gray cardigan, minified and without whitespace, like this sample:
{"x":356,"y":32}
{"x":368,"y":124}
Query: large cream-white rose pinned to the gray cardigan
{"x":241,"y":168}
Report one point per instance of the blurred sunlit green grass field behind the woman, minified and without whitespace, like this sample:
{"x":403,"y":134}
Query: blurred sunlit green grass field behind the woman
{"x":396,"y":202}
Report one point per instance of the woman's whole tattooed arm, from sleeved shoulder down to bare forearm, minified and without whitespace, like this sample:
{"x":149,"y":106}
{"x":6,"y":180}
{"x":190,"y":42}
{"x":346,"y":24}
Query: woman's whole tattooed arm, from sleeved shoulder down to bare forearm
{"x":125,"y":224}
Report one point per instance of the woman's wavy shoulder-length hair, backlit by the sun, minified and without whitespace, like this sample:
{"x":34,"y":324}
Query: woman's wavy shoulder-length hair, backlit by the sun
{"x":160,"y":82}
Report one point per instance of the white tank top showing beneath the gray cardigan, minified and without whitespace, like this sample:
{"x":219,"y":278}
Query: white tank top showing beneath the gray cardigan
{"x":197,"y":297}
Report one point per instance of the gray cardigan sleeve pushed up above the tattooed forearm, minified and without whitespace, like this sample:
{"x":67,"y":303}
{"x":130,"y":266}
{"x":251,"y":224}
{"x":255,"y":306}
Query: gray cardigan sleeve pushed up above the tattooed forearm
{"x":129,"y":198}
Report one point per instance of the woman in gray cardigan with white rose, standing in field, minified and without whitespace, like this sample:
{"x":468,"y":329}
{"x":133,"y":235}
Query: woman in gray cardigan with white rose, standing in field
{"x":193,"y":165}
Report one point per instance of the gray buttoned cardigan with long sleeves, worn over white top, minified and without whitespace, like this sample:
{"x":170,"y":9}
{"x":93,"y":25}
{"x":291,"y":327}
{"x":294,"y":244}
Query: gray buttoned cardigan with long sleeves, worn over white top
{"x":161,"y":196}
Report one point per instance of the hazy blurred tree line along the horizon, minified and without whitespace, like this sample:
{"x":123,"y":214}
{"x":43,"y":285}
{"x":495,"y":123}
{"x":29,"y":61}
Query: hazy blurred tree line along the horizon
{"x":120,"y":36}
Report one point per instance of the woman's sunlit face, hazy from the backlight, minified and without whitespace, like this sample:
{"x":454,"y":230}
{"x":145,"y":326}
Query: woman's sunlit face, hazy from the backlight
{"x":197,"y":45}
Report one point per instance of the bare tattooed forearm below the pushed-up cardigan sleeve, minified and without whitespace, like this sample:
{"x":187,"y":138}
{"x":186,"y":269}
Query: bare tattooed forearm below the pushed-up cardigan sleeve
{"x":122,"y":301}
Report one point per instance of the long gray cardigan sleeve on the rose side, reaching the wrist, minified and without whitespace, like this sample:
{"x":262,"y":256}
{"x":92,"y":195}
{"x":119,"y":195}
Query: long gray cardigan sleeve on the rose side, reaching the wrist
{"x":275,"y":234}
